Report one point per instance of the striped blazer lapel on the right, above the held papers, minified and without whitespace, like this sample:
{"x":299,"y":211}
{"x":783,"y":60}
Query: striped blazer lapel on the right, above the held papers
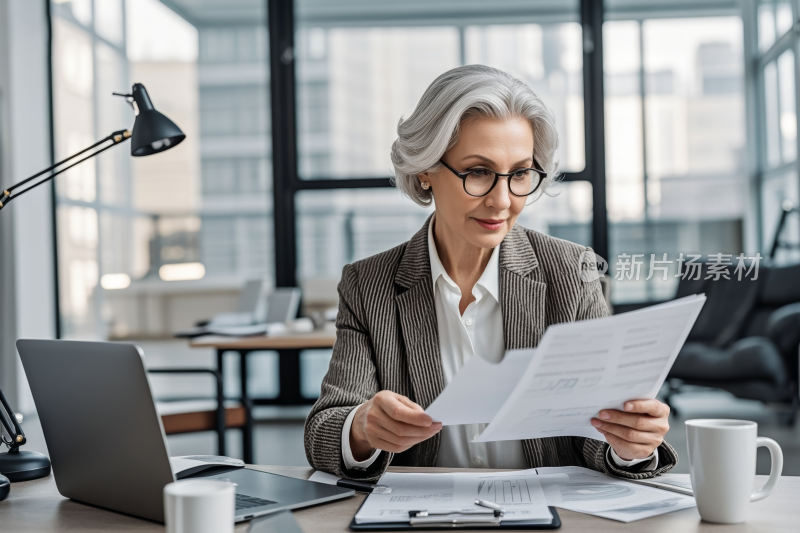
{"x":522,"y":295}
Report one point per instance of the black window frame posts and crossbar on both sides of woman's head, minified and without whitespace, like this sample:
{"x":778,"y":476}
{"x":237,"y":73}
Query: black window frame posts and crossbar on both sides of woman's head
{"x":287,"y":182}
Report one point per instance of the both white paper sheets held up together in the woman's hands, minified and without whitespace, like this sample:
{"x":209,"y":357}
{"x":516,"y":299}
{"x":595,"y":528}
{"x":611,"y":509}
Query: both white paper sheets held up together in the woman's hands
{"x":578,"y":369}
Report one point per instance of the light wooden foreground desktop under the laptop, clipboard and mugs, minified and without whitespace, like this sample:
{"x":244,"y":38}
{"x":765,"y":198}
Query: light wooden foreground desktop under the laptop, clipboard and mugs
{"x":37,"y":506}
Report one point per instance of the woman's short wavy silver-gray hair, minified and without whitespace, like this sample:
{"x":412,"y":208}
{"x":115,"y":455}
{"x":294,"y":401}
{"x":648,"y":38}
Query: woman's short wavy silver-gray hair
{"x":455,"y":96}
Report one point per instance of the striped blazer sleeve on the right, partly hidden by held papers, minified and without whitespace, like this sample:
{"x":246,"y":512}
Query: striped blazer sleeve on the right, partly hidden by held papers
{"x":593,"y":305}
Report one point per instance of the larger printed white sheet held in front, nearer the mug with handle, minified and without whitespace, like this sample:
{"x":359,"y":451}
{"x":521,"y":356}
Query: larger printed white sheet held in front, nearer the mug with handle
{"x":582,"y":367}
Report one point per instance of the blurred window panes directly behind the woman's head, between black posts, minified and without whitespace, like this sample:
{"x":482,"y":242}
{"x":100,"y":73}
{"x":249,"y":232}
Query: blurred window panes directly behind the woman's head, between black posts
{"x":358,"y":76}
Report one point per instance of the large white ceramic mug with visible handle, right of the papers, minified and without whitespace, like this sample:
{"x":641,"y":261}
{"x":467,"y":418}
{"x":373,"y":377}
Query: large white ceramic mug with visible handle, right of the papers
{"x":722,"y":465}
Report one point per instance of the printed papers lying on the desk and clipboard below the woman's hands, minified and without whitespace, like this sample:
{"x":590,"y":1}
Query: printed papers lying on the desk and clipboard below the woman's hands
{"x":523,"y":496}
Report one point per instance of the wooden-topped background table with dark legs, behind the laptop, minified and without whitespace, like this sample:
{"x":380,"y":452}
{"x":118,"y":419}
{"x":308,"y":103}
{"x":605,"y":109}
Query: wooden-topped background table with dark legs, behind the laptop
{"x":288,"y":347}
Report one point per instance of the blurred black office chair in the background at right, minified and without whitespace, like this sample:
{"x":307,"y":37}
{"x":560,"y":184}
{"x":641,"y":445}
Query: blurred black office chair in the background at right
{"x":747,"y":338}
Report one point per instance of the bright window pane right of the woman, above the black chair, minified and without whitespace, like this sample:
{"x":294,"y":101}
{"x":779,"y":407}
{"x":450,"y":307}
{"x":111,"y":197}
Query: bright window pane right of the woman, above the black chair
{"x":675,"y":138}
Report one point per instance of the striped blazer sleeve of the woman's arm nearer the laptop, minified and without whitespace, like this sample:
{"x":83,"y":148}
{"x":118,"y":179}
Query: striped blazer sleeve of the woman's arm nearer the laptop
{"x":351,"y":380}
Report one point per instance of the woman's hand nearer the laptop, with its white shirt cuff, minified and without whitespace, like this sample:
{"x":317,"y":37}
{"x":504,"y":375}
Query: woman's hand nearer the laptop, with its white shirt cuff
{"x":389,"y":422}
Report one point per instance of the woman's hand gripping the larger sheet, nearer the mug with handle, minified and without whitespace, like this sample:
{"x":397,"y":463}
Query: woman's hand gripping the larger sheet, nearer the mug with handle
{"x":637,"y":431}
